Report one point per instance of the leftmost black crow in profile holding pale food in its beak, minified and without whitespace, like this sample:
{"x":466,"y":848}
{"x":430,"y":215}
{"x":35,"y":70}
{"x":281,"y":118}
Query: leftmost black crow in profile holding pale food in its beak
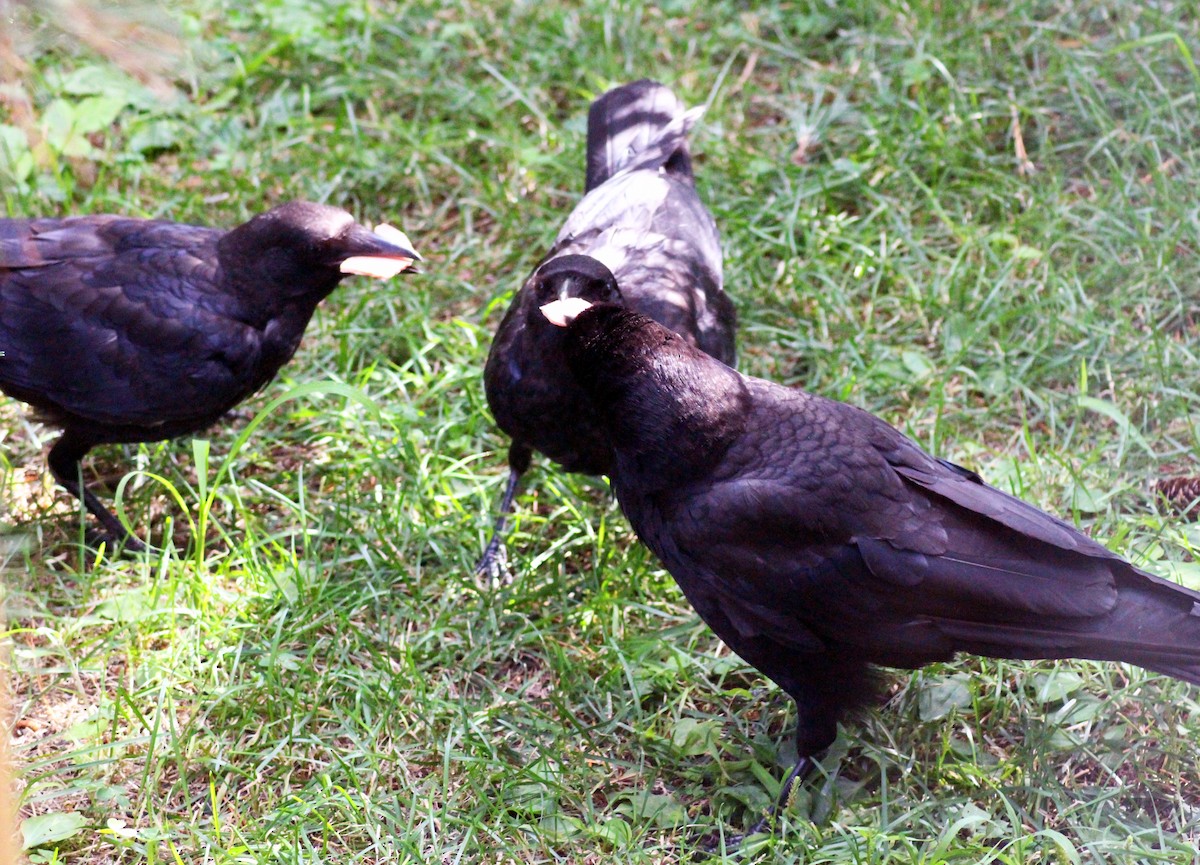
{"x":123,"y":331}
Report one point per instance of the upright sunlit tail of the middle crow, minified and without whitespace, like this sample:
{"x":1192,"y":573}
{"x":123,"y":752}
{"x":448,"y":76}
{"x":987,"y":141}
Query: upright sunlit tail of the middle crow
{"x":639,"y":125}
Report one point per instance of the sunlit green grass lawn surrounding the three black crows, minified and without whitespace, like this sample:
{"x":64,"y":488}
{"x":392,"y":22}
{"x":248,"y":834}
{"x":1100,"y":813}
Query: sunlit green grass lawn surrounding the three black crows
{"x":319,"y":677}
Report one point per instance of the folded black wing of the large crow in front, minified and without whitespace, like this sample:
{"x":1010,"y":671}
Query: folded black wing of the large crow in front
{"x":826,"y":514}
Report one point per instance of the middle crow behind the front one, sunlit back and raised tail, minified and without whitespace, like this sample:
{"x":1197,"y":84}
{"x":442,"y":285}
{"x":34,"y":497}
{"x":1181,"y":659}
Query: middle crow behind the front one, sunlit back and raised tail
{"x":641,"y":238}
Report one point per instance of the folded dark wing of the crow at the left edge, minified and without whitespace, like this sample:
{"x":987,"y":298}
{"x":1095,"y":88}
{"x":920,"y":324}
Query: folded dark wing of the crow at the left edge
{"x":121,"y":322}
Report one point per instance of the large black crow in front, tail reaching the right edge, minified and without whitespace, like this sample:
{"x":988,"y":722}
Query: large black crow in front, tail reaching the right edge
{"x":817,"y":540}
